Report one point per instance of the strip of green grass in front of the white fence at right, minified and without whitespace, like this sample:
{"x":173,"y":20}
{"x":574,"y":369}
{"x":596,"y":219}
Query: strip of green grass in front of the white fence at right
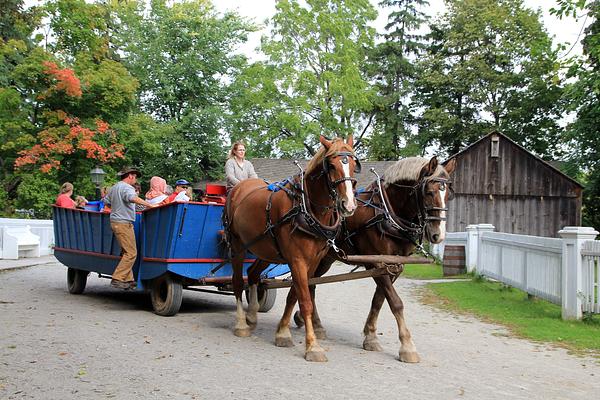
{"x":533,"y":319}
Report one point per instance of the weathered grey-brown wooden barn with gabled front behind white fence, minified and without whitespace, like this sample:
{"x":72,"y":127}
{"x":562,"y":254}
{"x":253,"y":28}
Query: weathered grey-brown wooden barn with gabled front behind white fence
{"x":499,"y":182}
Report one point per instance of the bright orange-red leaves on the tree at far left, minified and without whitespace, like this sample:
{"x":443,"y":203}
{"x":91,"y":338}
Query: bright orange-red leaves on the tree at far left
{"x":64,"y":134}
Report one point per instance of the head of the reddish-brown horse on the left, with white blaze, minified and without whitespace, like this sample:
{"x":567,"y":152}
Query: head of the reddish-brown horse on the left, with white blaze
{"x":338,"y":164}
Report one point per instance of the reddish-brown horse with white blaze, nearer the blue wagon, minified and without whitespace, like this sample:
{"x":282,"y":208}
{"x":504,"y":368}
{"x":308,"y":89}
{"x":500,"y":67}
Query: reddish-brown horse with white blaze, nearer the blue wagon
{"x":295,"y":225}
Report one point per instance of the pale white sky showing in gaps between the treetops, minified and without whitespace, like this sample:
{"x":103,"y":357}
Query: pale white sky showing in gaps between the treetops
{"x":566,"y":30}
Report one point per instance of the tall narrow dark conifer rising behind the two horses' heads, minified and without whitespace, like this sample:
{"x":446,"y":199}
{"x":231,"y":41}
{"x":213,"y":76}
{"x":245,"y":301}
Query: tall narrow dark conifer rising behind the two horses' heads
{"x":395,"y":74}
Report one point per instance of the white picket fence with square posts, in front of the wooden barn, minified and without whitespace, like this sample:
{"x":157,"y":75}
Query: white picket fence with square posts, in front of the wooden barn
{"x":565,"y":271}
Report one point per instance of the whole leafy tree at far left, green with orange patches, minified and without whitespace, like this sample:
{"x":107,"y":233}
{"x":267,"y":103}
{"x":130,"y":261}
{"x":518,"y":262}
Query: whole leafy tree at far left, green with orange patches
{"x":60,"y":103}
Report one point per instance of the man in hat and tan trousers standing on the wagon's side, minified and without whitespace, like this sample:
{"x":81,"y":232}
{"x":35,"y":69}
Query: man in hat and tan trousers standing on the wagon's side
{"x":122,"y":199}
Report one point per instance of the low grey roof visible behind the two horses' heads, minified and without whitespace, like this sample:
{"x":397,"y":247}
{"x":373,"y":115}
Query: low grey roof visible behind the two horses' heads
{"x":274,"y":170}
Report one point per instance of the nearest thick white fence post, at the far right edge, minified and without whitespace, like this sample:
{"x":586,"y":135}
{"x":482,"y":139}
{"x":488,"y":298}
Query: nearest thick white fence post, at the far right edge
{"x":573,"y":239}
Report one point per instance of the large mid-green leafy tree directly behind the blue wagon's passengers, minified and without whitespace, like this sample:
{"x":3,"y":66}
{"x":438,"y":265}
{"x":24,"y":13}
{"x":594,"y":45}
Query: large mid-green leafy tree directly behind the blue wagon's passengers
{"x":183,"y":55}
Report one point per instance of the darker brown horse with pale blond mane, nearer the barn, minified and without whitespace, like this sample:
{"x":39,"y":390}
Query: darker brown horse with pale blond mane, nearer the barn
{"x":392,"y":218}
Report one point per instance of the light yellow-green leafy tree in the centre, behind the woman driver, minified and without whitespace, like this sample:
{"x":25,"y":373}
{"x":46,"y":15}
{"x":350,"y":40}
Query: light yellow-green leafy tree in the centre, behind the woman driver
{"x":313,"y":81}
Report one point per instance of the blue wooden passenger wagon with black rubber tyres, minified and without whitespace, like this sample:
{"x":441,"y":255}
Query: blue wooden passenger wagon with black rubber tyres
{"x":179,"y":247}
